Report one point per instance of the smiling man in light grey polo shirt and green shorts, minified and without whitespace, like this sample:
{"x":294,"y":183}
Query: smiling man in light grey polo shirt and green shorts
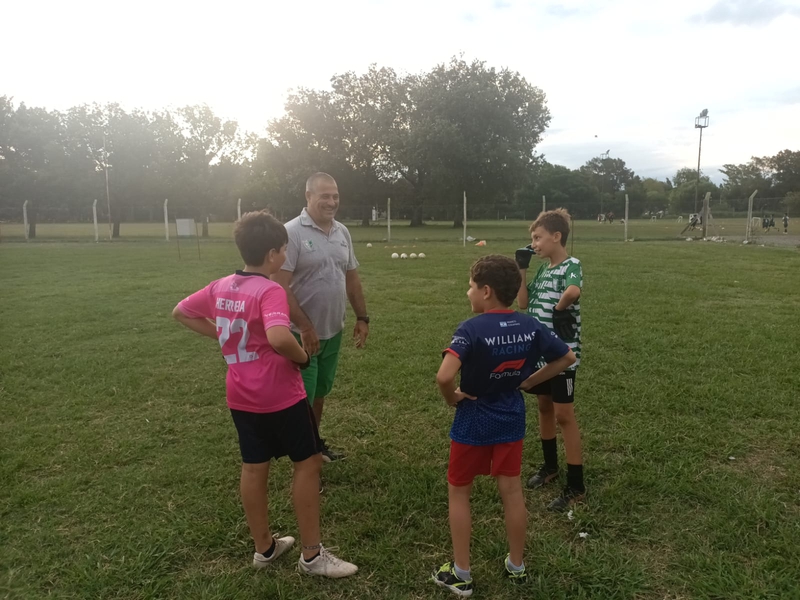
{"x":320,"y":275}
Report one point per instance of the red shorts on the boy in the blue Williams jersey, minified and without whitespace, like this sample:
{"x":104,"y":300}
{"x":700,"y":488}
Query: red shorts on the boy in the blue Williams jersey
{"x":468,"y":461}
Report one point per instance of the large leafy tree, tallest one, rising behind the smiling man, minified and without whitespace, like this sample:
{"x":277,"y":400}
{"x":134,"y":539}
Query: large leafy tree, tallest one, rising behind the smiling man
{"x":461,"y":127}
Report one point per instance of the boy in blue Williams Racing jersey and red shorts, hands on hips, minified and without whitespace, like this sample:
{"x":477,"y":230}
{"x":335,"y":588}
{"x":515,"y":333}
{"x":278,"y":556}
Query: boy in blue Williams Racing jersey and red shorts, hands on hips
{"x":497,"y":352}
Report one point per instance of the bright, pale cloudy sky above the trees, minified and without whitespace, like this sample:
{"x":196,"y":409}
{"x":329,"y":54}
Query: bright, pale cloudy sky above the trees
{"x":633,"y":73}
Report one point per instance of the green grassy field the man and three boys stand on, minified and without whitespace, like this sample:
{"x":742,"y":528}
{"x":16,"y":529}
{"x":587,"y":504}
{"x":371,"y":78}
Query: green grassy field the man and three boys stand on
{"x":119,"y":463}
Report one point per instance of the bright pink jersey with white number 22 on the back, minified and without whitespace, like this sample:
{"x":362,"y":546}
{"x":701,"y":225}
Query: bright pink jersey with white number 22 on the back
{"x":244,"y":306}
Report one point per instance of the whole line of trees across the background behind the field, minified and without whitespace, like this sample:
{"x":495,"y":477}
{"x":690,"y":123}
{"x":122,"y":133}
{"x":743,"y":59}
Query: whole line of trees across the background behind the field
{"x":420,"y":139}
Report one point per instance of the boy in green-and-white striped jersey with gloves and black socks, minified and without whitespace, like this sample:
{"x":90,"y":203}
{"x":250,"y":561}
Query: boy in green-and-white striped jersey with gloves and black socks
{"x":553,"y":297}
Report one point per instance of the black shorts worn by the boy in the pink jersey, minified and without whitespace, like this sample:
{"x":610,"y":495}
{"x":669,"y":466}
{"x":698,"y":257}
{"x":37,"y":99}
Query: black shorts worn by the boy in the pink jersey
{"x":289,"y":432}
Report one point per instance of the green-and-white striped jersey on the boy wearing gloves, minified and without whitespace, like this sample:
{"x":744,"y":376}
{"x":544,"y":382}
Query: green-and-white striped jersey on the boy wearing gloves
{"x":544,"y":292}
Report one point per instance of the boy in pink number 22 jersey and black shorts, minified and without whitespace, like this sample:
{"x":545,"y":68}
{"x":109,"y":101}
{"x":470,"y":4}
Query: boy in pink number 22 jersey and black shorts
{"x":249,"y":315}
